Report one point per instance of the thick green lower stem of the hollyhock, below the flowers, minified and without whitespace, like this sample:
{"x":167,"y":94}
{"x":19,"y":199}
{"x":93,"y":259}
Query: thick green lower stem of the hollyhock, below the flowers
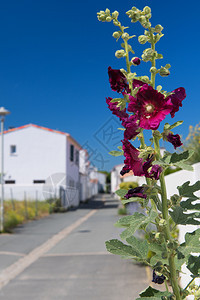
{"x":168,"y":237}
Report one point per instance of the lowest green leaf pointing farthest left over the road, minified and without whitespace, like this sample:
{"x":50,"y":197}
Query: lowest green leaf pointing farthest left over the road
{"x":117,"y":247}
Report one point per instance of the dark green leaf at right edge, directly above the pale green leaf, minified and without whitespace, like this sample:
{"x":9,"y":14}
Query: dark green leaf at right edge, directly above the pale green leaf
{"x":179,"y":217}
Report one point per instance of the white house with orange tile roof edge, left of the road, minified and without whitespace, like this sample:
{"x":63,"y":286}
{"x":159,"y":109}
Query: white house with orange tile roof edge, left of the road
{"x":41,"y":162}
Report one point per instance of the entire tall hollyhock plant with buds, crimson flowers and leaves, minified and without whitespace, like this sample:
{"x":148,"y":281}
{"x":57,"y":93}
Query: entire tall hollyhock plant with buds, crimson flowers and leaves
{"x":144,"y":105}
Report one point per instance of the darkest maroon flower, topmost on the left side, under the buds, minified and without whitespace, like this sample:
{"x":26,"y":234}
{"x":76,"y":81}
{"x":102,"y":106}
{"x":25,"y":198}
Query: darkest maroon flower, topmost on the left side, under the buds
{"x":117,"y":80}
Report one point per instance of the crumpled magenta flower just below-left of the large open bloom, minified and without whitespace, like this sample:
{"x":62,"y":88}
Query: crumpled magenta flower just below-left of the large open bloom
{"x":131,"y":127}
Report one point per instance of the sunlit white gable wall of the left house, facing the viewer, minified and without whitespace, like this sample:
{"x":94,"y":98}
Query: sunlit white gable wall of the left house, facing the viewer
{"x":39,"y":154}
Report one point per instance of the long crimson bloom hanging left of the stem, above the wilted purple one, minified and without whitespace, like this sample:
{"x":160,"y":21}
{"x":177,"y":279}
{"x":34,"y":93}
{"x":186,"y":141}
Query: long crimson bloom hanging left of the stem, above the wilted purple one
{"x":132,"y":160}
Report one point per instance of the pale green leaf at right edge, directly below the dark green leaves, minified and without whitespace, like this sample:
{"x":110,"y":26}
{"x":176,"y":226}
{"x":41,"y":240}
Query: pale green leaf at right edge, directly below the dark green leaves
{"x":191,"y":244}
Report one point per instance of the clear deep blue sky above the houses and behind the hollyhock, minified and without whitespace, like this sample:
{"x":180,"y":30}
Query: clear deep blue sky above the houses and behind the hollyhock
{"x":53,"y":65}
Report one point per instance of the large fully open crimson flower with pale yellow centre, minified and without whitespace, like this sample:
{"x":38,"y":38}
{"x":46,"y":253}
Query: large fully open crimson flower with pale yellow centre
{"x":150,"y":106}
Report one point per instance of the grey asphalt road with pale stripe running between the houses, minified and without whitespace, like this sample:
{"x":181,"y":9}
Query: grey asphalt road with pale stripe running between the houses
{"x":63,"y":257}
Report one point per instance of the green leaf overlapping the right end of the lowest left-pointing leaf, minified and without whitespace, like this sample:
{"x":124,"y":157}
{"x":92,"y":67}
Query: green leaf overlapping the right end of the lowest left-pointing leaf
{"x":139,"y":246}
